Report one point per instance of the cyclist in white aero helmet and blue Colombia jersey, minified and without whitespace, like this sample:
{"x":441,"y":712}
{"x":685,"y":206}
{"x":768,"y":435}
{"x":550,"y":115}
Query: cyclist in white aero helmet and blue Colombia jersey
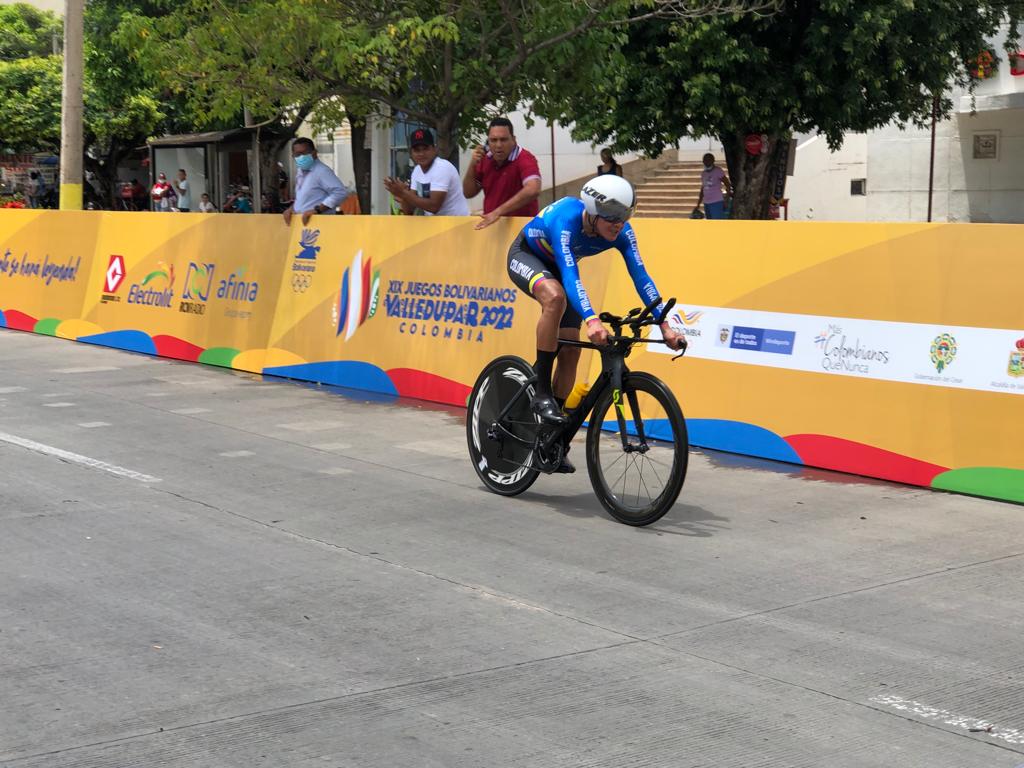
{"x":542,"y":263}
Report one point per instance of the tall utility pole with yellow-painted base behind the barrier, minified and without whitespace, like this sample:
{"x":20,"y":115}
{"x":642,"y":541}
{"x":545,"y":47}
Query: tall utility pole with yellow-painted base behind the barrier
{"x":71,"y":108}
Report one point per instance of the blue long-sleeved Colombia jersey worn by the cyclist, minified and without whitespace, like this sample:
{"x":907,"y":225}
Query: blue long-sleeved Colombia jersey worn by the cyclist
{"x":557,"y":237}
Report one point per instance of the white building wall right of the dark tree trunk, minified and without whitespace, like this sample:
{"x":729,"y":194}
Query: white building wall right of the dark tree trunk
{"x":883,"y":176}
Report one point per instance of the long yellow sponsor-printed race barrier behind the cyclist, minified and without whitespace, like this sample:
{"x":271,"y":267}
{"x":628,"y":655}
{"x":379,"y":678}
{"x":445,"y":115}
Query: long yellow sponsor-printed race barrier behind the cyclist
{"x":889,"y":351}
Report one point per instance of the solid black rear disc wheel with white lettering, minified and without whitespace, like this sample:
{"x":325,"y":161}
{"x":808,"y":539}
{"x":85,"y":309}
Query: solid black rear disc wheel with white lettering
{"x":503,"y":452}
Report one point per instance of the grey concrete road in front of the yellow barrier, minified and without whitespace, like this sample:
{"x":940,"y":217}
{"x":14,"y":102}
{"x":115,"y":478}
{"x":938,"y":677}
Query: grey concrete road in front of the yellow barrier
{"x":204,"y":569}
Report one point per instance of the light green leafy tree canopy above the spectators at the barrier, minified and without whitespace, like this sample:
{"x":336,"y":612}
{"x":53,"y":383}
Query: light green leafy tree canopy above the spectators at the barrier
{"x":446,"y":65}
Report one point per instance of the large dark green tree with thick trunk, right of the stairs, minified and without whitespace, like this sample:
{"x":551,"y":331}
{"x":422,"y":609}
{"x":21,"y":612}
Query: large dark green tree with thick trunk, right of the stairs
{"x":825,"y":66}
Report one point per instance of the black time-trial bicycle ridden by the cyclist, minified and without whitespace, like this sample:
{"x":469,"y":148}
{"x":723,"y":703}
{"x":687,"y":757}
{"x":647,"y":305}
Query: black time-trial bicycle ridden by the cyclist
{"x":637,"y":447}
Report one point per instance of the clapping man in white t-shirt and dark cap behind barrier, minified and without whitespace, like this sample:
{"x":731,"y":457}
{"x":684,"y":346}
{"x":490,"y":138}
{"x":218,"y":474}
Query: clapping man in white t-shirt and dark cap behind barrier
{"x":436,"y":189}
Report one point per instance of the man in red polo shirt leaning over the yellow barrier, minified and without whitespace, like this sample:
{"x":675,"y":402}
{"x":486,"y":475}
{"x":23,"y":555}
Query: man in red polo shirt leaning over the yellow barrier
{"x":508,"y":175}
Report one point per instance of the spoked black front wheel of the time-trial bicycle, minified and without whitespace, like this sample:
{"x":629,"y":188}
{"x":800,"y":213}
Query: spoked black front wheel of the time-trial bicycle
{"x":641,"y":481}
